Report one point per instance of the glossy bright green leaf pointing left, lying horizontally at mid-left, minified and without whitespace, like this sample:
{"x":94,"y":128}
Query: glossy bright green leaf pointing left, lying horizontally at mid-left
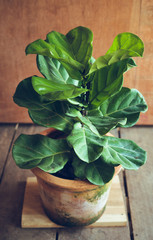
{"x":53,"y":90}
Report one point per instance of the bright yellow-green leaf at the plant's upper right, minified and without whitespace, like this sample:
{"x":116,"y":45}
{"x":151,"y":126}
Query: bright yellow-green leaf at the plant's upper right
{"x":124,"y":46}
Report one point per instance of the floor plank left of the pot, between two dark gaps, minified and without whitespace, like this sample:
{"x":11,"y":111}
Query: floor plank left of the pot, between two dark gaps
{"x":11,"y":198}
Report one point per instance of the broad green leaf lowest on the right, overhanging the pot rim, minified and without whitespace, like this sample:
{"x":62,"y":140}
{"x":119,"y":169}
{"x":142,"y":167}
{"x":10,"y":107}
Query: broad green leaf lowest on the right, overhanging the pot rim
{"x":124,"y":152}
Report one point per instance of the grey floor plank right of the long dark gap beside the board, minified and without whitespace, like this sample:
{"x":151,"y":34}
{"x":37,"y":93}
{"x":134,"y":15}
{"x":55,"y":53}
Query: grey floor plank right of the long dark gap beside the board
{"x":140,"y":185}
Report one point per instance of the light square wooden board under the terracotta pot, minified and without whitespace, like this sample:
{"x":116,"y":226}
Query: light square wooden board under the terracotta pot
{"x":33,"y":215}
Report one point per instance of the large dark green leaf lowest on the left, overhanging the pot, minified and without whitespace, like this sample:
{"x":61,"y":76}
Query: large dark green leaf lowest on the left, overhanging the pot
{"x":31,"y":151}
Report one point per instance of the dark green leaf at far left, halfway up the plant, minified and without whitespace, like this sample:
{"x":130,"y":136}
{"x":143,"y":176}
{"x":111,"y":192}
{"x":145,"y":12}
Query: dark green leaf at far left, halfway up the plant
{"x":42,"y":112}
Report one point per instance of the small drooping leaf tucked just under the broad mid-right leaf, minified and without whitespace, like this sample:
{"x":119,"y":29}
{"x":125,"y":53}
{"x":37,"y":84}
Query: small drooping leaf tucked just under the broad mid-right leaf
{"x":105,"y":124}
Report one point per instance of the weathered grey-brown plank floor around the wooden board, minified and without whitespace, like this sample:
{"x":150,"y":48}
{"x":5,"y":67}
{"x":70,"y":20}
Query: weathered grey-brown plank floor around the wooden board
{"x":137,"y":188}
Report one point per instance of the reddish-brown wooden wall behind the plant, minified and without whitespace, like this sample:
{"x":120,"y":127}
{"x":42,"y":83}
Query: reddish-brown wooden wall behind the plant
{"x":23,"y":21}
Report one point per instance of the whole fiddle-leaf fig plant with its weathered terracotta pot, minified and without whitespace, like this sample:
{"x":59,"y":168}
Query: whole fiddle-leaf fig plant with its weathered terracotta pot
{"x":83,"y":99}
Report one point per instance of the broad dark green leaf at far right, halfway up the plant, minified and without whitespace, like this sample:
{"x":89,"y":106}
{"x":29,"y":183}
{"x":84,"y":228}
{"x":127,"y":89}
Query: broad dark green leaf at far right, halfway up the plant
{"x":128,"y":103}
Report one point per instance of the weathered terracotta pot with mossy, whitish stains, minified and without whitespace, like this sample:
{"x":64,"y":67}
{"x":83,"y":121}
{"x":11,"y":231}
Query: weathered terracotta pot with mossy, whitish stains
{"x":71,"y":202}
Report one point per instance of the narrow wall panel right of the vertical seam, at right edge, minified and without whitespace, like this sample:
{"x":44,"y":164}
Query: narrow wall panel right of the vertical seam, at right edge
{"x":144,"y":78}
